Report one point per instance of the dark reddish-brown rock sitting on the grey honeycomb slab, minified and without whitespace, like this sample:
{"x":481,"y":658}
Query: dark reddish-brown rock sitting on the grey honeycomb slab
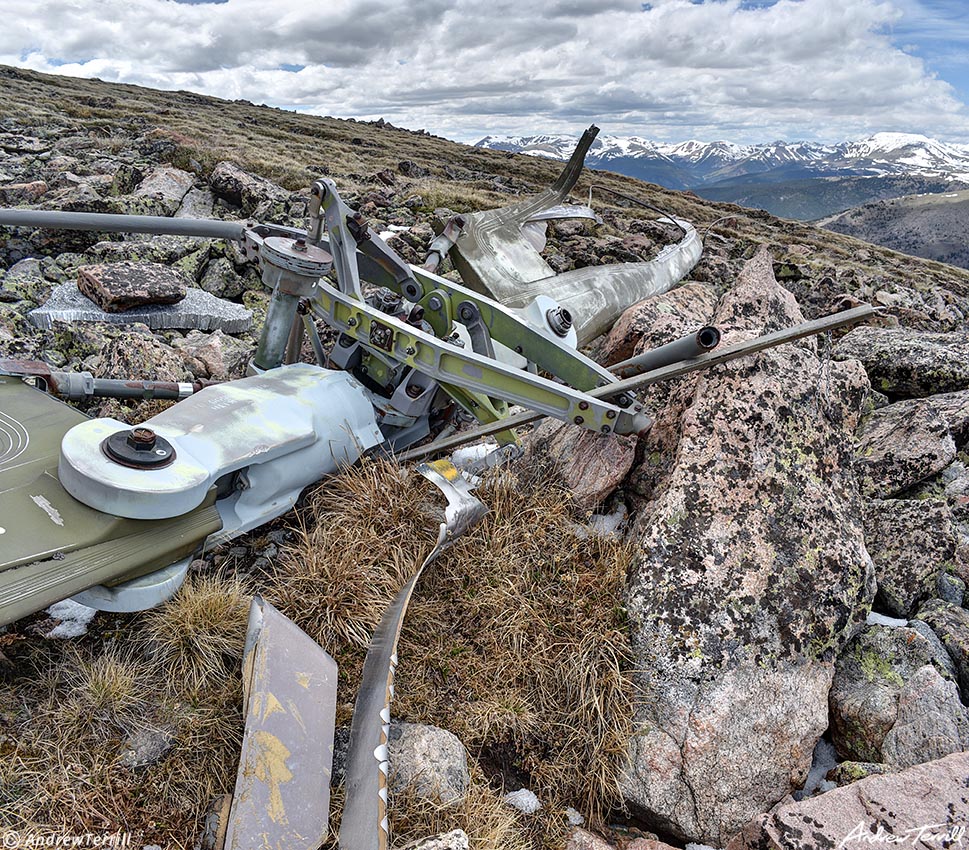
{"x":116,"y":287}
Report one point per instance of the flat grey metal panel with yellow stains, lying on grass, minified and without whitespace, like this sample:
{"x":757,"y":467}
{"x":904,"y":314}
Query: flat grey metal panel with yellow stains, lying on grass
{"x":282,"y":793}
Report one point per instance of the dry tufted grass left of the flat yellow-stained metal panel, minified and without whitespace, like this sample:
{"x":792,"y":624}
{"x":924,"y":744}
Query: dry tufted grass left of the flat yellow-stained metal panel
{"x":71,"y":709}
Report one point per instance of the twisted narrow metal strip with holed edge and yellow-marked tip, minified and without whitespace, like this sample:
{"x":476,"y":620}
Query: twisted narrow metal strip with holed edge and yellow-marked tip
{"x":364,"y":824}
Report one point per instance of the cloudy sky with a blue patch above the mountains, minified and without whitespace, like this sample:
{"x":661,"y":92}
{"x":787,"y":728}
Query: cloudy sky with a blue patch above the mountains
{"x":742,"y":70}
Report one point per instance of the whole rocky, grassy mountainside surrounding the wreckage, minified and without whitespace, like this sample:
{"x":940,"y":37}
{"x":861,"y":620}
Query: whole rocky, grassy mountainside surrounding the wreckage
{"x":788,"y":578}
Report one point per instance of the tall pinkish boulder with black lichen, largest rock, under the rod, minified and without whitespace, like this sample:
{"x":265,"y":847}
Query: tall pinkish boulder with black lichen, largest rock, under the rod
{"x":751,"y":575}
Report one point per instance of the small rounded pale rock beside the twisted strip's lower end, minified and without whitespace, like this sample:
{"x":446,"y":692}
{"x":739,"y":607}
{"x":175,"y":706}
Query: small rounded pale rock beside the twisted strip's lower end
{"x":429,"y":761}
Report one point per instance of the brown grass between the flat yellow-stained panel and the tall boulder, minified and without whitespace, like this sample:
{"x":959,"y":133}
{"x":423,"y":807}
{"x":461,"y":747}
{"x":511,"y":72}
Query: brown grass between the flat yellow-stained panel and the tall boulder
{"x":515,"y":640}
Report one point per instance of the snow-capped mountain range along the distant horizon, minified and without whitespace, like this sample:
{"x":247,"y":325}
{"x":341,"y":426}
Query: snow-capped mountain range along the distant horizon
{"x":692,"y":164}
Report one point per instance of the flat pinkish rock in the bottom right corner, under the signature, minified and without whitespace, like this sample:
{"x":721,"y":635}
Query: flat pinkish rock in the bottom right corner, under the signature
{"x":922,"y":806}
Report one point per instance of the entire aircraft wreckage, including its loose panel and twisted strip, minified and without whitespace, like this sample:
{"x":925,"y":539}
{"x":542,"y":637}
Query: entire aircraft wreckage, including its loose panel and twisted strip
{"x":111,"y":515}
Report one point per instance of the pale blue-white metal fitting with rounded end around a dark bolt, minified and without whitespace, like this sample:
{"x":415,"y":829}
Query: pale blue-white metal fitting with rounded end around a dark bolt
{"x":286,"y":428}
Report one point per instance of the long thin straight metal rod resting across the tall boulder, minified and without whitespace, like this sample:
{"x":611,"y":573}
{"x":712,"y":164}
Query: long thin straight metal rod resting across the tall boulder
{"x":665,"y":373}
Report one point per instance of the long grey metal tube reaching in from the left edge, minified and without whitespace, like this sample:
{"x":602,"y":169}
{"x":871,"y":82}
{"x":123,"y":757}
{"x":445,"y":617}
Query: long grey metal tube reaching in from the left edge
{"x":206,"y":227}
